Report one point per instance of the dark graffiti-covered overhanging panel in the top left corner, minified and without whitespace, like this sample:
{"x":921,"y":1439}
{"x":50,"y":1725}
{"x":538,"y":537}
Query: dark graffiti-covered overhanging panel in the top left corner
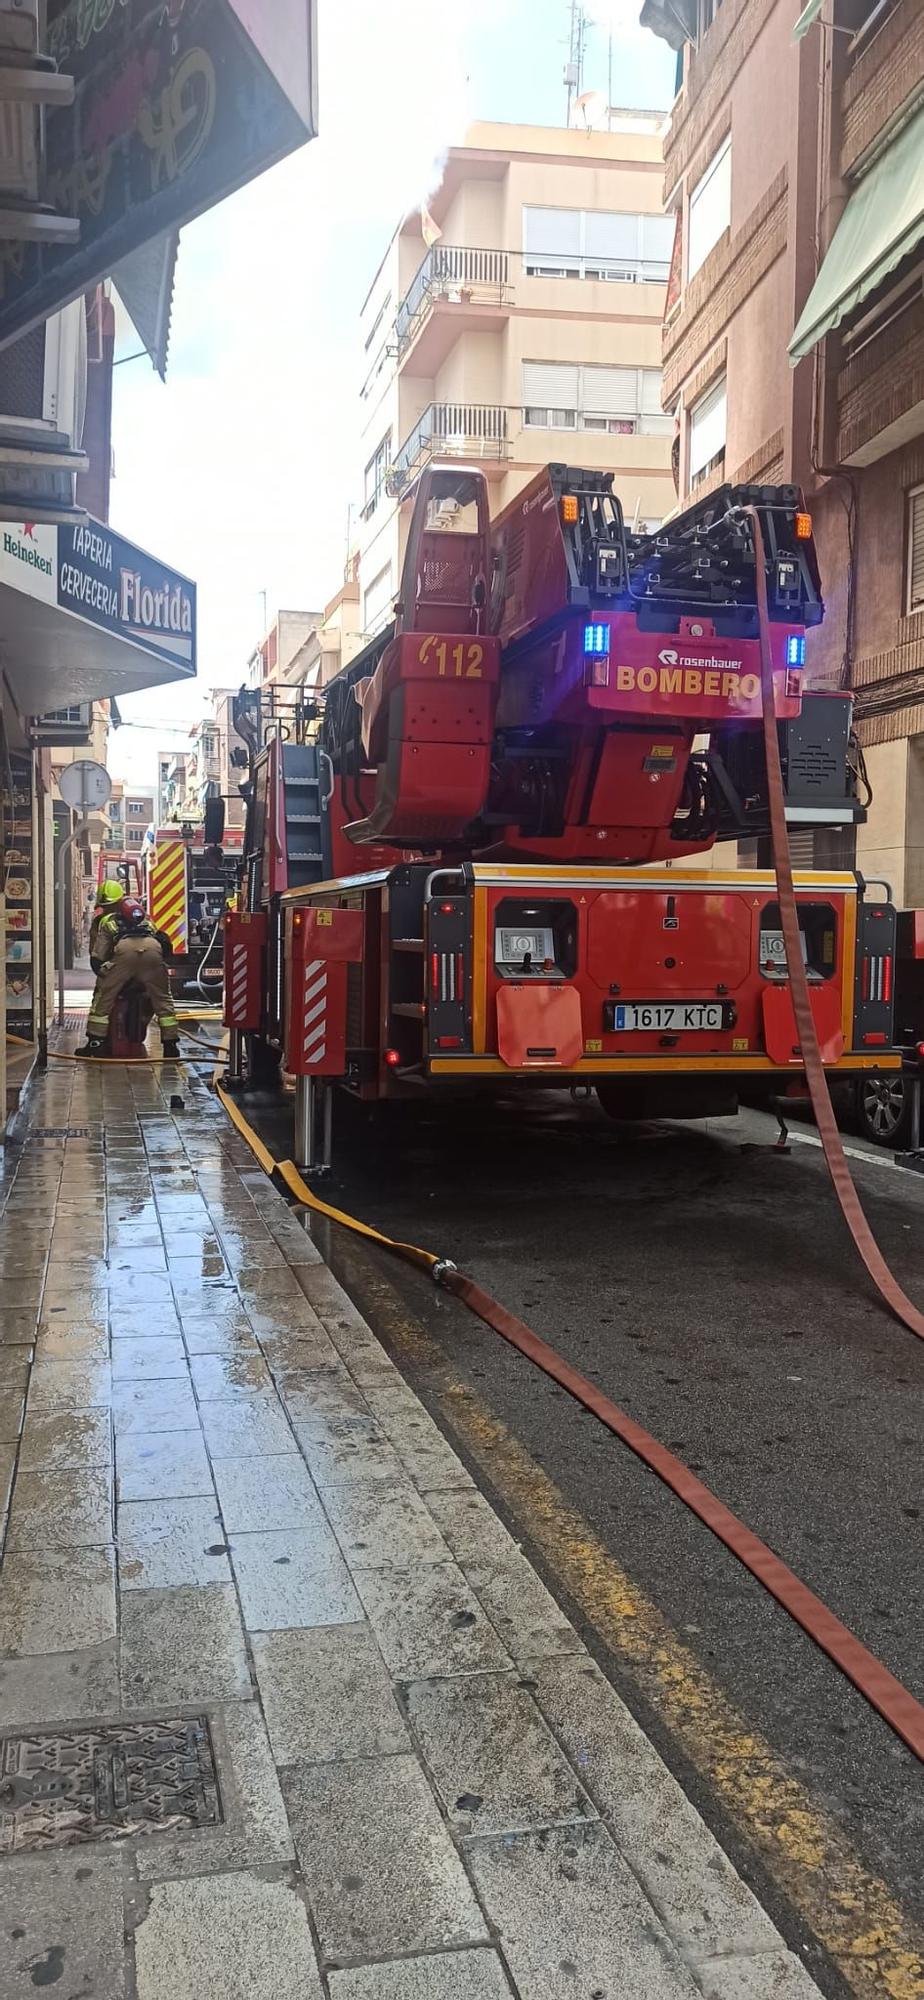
{"x":177,"y":105}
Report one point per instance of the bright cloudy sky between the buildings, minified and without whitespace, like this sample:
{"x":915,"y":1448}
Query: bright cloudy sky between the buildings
{"x":241,"y":471}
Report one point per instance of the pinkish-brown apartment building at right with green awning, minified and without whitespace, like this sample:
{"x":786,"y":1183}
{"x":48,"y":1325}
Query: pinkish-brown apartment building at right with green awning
{"x":795,"y":333}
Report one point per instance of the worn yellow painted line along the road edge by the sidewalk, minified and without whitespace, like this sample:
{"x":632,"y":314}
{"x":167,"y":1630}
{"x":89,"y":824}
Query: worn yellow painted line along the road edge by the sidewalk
{"x":877,"y":1947}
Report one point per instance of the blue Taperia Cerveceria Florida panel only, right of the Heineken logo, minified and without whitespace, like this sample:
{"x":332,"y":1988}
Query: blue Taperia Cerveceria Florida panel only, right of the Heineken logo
{"x":129,"y":593}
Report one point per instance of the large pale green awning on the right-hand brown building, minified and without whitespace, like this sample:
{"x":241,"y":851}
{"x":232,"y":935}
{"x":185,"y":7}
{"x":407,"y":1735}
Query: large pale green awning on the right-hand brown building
{"x":883,"y":223}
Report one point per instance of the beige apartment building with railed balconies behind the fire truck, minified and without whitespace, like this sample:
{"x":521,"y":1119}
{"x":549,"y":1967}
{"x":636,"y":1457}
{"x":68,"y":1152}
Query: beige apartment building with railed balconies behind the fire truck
{"x":517,"y":321}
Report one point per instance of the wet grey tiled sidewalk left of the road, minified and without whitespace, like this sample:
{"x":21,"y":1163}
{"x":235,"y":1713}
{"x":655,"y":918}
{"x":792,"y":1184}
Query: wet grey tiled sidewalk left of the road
{"x":253,"y":1601}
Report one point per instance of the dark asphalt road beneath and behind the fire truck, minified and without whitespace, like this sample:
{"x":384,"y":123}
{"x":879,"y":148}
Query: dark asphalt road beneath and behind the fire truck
{"x":709,"y":1285}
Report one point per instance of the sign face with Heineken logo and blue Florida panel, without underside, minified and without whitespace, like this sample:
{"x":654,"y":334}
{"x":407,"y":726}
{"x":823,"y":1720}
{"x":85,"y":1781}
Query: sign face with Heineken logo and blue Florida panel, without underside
{"x":109,"y":583}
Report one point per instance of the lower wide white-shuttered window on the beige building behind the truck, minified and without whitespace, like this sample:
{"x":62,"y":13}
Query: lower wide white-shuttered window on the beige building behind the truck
{"x":615,"y":401}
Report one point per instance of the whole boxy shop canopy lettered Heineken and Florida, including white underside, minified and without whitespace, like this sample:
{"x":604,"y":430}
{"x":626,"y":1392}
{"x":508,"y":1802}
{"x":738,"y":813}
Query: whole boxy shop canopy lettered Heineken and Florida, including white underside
{"x":87,"y":615}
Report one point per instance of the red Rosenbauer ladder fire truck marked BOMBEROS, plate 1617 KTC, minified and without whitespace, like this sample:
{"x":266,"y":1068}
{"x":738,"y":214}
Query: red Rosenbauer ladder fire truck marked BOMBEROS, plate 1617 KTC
{"x":471,"y":869}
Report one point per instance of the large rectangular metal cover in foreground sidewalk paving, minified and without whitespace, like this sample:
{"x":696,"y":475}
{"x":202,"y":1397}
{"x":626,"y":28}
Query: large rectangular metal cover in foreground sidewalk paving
{"x":111,"y":1783}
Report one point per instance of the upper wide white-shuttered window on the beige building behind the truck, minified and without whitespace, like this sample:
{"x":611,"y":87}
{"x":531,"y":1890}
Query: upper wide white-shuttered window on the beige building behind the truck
{"x":595,"y":243}
